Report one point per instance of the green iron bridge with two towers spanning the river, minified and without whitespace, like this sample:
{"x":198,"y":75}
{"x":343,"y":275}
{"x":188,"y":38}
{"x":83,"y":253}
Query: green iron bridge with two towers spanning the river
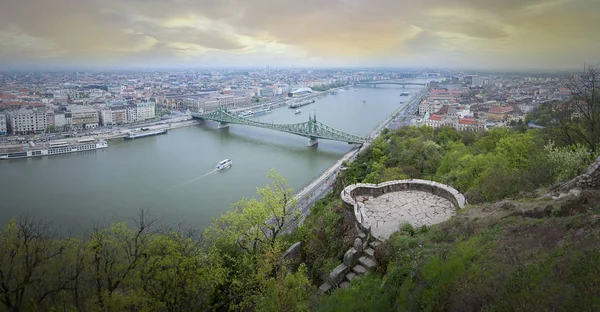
{"x":312,"y":129}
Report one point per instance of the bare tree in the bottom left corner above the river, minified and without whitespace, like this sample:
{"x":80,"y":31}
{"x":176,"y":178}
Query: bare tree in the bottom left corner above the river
{"x":35,"y":264}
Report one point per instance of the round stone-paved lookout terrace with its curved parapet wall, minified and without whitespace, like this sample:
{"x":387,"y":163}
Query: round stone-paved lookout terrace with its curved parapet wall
{"x":381,"y":208}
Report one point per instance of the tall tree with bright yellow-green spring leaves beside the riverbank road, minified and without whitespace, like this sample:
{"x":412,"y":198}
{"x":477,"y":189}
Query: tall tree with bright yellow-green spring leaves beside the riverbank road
{"x":248,"y":239}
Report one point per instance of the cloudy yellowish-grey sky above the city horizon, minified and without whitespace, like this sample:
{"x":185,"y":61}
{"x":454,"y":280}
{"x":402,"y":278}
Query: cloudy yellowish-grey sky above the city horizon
{"x":205,"y":33}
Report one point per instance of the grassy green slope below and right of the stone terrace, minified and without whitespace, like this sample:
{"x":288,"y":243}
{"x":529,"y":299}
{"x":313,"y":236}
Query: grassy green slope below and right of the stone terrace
{"x":513,"y":255}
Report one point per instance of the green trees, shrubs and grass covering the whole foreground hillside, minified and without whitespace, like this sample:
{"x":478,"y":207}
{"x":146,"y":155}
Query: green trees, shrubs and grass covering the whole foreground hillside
{"x":527,"y":252}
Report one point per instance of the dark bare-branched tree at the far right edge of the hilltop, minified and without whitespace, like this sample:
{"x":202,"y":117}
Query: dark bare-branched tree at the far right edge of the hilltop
{"x":579,"y":120}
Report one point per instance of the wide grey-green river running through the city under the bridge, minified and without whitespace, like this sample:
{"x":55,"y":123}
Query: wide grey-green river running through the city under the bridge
{"x":172,"y":175}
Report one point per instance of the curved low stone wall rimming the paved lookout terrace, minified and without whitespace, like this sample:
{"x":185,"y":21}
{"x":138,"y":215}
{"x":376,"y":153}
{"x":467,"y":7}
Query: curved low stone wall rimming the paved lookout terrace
{"x":375,"y":190}
